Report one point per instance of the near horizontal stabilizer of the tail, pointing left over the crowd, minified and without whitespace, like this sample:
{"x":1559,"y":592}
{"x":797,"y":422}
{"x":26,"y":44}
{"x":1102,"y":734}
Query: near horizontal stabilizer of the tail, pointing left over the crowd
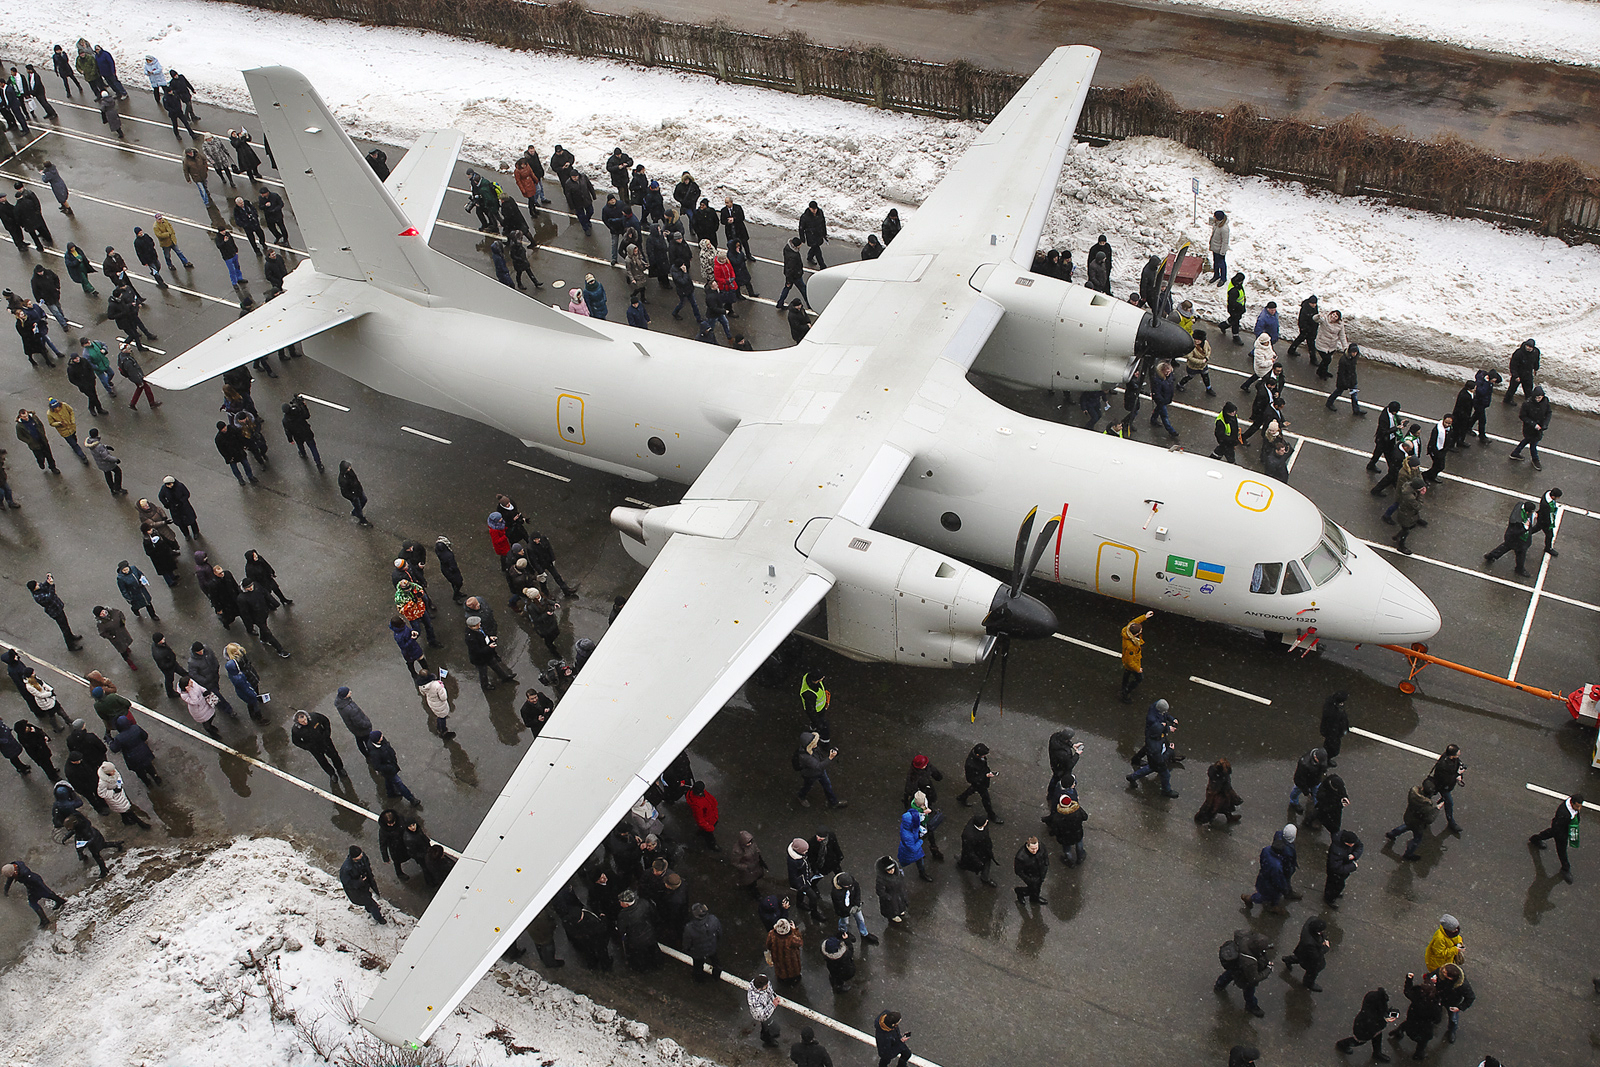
{"x":263,"y":332}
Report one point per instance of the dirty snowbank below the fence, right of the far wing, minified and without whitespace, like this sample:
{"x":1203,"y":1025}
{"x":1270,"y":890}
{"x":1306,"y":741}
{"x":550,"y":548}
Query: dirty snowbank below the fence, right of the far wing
{"x":1417,"y":289}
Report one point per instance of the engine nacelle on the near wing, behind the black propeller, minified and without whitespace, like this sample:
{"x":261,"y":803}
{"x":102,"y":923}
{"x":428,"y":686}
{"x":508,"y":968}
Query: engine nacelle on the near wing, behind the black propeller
{"x":898,"y":602}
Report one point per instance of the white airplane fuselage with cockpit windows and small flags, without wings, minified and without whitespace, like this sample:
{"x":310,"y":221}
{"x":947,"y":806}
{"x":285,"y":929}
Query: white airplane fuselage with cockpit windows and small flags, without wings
{"x":1169,"y":530}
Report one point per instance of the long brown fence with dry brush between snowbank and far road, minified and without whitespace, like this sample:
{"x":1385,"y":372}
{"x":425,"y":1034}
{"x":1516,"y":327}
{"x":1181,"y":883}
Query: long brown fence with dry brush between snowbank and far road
{"x":1350,"y":158}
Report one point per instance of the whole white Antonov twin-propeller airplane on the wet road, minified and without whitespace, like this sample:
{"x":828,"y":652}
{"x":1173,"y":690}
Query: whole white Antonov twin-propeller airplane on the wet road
{"x":850,"y":473}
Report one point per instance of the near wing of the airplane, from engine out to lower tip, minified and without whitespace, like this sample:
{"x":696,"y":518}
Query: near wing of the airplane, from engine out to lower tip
{"x":700,"y":623}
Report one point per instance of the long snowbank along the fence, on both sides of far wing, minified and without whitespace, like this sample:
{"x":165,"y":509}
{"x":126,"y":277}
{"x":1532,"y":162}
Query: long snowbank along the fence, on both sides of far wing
{"x":1447,"y":295}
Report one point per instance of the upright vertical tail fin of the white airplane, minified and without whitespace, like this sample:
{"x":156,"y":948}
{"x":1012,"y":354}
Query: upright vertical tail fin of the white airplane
{"x":353,"y":225}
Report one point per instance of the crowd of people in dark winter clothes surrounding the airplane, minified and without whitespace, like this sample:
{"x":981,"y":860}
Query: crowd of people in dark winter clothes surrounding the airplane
{"x":638,"y":895}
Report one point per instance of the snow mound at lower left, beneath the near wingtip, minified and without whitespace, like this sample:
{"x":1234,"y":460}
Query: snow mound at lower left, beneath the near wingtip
{"x":250,"y":954}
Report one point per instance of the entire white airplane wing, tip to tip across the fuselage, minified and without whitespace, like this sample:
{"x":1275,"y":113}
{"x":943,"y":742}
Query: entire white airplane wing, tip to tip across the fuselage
{"x":740,"y":569}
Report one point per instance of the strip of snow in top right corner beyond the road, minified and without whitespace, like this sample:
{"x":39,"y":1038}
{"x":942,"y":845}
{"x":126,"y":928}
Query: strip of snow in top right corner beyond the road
{"x":1564,"y":31}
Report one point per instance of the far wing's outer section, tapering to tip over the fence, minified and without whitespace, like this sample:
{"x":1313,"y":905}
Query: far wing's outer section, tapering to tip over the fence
{"x":999,"y":193}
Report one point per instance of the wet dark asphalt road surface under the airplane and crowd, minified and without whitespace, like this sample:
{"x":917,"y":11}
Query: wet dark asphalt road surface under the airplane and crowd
{"x":1116,"y":969}
